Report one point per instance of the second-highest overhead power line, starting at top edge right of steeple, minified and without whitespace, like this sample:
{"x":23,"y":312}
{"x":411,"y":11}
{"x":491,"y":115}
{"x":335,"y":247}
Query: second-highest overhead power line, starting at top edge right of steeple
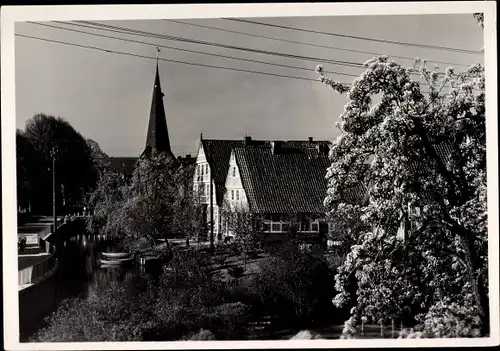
{"x":304,"y":43}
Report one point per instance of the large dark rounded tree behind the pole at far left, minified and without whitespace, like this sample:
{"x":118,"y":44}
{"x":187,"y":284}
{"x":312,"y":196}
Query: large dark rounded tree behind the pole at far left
{"x":75,"y":169}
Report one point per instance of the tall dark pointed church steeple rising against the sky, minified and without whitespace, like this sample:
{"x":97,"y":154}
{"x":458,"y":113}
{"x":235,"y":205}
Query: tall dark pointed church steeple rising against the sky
{"x":157,"y":136}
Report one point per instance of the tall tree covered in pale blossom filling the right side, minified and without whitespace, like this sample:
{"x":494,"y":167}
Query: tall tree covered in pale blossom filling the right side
{"x":420,"y":227}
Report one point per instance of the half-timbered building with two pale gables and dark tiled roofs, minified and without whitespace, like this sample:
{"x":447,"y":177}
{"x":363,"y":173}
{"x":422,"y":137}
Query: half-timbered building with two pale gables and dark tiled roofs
{"x":278,"y":181}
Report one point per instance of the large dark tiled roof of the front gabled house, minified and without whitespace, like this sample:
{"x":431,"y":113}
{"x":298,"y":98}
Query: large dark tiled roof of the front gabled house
{"x":284,"y":177}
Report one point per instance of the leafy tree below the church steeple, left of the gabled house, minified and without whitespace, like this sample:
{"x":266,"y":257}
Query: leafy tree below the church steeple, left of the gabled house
{"x":157,"y":203}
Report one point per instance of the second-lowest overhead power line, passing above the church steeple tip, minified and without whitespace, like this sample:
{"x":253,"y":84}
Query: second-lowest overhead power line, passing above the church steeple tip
{"x":187,"y":50}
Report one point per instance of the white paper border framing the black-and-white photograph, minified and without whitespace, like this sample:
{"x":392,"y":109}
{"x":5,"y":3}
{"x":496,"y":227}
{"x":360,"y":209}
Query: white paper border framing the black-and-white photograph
{"x":12,"y":14}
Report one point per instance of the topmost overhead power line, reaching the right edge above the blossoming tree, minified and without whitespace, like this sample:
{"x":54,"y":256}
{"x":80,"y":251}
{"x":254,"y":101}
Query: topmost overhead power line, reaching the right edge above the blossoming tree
{"x":445,"y":48}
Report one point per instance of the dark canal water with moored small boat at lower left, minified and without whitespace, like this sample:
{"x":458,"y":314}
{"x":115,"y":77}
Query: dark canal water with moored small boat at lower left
{"x":80,"y":273}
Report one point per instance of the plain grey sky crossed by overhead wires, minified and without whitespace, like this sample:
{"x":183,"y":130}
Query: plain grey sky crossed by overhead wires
{"x":106,"y":97}
